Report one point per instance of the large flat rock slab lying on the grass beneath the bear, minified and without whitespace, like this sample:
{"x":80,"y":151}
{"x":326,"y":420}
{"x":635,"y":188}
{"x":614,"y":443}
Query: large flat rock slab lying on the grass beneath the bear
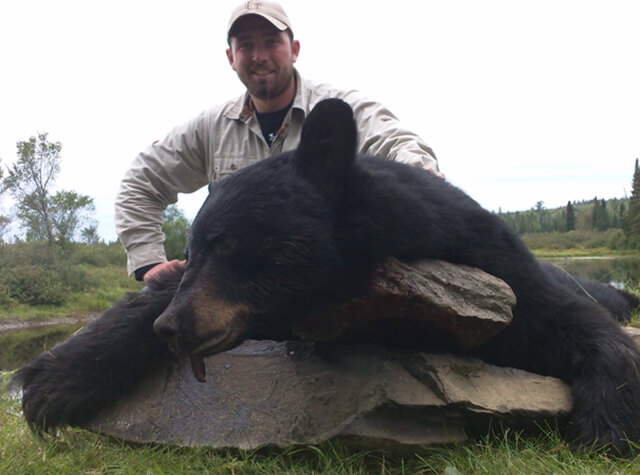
{"x":284,"y":394}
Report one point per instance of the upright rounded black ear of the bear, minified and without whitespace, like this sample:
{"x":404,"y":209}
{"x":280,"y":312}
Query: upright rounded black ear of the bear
{"x":328,"y":143}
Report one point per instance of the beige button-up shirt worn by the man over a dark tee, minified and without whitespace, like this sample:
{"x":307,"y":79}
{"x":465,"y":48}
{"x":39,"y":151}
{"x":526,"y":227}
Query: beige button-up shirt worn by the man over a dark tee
{"x":226,"y":138}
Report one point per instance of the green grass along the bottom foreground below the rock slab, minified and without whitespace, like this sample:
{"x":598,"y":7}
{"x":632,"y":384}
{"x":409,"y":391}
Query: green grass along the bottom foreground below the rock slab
{"x":80,"y":452}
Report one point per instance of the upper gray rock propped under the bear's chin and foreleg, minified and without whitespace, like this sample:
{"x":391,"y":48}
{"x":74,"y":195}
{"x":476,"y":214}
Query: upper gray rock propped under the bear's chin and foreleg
{"x":461,"y":304}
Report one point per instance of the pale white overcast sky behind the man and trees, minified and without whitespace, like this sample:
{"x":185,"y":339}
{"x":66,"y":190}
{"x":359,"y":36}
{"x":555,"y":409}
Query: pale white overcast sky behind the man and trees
{"x":522,"y":101}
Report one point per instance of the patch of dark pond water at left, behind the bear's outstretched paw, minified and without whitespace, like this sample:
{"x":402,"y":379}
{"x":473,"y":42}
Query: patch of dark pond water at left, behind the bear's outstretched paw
{"x":20,"y":346}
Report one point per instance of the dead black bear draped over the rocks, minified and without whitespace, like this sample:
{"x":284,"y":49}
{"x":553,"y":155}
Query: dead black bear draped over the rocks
{"x":305,"y":230}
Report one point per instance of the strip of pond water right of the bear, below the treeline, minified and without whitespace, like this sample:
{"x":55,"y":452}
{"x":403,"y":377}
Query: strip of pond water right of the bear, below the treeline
{"x":617,"y":271}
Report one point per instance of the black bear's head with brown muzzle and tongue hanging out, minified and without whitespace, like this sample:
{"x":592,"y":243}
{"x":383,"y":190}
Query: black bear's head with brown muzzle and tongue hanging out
{"x":262,"y":246}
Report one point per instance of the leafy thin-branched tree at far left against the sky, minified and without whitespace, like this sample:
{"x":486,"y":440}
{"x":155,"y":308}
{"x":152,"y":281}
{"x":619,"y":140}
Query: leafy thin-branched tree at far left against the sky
{"x":52,"y":217}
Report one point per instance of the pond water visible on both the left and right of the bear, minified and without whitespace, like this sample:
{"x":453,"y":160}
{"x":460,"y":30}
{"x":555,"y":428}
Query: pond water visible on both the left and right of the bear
{"x":18,"y":347}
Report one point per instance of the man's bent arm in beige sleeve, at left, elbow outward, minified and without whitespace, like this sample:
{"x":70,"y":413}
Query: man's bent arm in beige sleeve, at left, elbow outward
{"x":176,"y":164}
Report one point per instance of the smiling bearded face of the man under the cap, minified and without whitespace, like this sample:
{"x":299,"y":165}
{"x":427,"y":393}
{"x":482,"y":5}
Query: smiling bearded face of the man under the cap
{"x":262,"y":56}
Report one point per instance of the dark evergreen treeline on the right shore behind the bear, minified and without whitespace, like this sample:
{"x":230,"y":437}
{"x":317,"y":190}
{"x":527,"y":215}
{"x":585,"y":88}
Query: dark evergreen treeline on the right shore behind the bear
{"x":619,"y":218}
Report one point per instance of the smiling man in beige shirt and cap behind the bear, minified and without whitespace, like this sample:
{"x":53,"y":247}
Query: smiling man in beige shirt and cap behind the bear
{"x":265,"y":121}
